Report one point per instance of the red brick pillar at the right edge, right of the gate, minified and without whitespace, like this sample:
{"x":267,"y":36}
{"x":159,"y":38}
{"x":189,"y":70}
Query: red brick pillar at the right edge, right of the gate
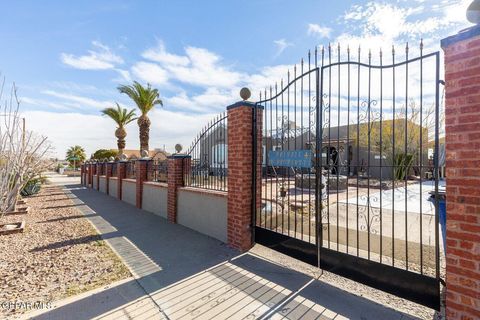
{"x":462,"y":132}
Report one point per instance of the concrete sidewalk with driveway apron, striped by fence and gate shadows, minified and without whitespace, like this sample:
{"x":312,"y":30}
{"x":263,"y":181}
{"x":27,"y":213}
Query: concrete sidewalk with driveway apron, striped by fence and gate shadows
{"x":182,"y":274}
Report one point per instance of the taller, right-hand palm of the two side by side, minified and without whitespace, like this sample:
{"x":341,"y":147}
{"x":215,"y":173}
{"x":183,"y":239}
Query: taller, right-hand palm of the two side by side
{"x":145,"y":99}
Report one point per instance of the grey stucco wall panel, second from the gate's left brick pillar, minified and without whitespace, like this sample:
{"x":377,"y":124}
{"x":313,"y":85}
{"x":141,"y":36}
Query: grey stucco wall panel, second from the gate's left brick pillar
{"x":154,"y":198}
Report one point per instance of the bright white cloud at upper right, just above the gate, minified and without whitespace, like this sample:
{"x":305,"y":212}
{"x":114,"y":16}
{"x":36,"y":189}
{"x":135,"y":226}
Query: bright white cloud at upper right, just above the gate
{"x":378,"y":24}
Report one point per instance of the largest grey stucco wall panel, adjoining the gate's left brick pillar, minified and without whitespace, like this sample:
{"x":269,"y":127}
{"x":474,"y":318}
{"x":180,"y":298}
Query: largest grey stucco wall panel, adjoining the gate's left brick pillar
{"x":204,"y":211}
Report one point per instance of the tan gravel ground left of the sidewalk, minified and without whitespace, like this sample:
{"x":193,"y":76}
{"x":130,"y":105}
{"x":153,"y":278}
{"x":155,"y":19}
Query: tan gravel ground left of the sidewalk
{"x":58,"y":255}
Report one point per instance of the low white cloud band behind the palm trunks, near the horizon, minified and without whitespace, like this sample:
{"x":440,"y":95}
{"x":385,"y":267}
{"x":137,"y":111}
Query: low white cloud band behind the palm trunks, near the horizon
{"x":95,"y":131}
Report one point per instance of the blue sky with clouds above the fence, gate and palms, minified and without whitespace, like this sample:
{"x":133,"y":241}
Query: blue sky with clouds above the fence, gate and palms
{"x":68,"y":57}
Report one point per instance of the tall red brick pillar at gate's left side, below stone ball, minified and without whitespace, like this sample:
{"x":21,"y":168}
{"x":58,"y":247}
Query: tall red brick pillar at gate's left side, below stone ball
{"x":240,"y":173}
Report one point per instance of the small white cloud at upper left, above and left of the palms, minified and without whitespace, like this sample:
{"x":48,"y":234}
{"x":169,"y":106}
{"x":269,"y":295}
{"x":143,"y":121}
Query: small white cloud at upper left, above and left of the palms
{"x":100,"y":58}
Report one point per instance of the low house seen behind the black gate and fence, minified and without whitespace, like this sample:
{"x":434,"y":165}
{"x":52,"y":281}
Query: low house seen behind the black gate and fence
{"x":345,"y":147}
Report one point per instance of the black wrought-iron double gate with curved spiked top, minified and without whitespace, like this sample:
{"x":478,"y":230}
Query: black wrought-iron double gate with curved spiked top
{"x":350,"y":156}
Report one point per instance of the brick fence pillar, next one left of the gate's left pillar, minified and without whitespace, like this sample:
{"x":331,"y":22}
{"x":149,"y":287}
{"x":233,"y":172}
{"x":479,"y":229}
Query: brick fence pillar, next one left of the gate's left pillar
{"x":176,"y":171}
